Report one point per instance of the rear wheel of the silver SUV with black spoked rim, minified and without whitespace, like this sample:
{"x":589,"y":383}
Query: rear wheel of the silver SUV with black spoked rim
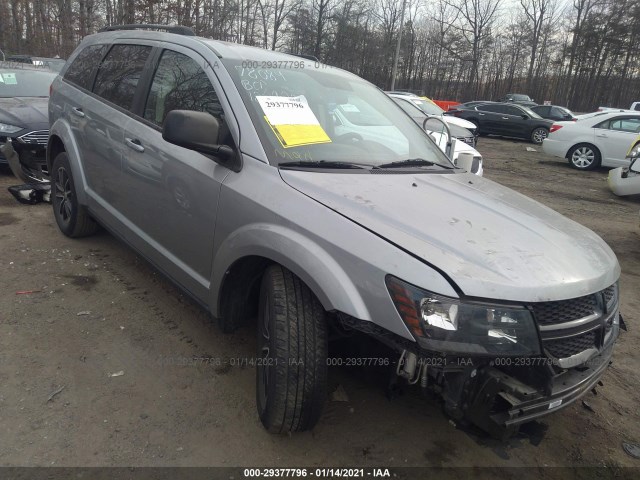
{"x":72,"y":218}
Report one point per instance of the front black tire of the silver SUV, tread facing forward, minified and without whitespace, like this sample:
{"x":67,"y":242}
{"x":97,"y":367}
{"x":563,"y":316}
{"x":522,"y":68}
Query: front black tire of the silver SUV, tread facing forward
{"x":291,"y":375}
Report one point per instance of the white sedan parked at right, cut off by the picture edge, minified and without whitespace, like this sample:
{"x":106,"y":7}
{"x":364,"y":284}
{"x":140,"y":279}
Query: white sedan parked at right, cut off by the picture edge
{"x":601,"y":140}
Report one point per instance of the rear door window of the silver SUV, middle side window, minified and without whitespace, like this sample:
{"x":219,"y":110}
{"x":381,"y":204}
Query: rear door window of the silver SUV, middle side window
{"x":119,"y":74}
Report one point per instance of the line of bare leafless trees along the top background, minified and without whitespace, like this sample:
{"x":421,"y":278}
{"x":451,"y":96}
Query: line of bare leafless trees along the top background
{"x":578,"y":53}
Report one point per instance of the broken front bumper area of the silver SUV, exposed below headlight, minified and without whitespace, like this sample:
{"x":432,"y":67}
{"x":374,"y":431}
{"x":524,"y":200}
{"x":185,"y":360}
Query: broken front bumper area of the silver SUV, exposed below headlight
{"x":500,"y":394}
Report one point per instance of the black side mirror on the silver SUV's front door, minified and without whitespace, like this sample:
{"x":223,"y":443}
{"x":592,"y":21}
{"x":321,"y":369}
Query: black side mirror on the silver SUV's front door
{"x":198,"y":131}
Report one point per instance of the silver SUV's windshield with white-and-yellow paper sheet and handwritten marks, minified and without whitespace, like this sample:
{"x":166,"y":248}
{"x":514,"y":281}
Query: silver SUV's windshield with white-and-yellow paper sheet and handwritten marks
{"x":321,"y":114}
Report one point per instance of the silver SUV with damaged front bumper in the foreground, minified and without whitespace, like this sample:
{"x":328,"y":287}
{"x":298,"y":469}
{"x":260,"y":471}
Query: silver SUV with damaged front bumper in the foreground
{"x":228,"y":168}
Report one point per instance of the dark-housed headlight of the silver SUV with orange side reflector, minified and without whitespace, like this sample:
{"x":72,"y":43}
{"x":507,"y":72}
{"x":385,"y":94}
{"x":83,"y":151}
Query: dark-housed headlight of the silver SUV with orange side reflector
{"x":448,"y":325}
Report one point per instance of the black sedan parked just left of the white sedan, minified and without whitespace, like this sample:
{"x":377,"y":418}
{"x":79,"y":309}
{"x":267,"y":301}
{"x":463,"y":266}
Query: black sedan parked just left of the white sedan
{"x":507,"y":120}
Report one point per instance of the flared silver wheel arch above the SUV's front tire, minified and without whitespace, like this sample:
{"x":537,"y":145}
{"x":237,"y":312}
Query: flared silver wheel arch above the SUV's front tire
{"x":329,"y":282}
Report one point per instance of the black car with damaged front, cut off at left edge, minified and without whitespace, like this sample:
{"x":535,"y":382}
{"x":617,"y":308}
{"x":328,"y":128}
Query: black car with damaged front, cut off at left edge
{"x":24,"y":120}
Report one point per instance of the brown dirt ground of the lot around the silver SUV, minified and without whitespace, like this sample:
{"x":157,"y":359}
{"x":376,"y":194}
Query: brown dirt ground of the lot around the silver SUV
{"x":98,"y":309}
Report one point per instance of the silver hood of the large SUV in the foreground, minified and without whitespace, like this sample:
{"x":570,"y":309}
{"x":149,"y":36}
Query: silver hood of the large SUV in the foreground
{"x":490,"y":241}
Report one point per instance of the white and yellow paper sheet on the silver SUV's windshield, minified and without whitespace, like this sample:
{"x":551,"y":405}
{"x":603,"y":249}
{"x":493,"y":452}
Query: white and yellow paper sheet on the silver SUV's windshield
{"x":292,"y":121}
